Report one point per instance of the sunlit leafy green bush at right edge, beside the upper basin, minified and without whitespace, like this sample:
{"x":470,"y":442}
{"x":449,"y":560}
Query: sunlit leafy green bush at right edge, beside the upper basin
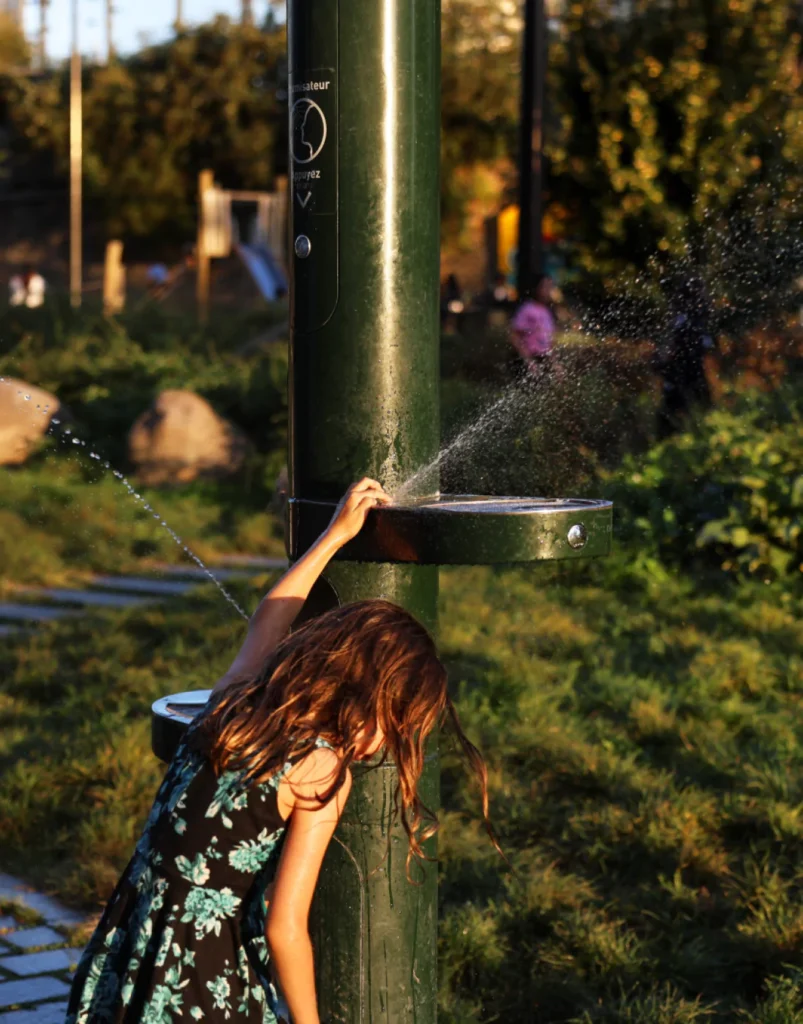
{"x":728,"y":494}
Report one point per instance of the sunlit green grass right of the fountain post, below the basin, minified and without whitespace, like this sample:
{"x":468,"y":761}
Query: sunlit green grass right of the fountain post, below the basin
{"x":647,"y":765}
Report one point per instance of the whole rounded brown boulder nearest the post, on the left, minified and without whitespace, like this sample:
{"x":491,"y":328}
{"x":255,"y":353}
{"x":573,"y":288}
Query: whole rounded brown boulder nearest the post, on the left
{"x":182,"y":438}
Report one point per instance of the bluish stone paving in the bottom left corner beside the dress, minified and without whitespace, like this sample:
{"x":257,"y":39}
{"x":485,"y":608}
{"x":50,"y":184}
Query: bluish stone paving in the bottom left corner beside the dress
{"x":37,"y":960}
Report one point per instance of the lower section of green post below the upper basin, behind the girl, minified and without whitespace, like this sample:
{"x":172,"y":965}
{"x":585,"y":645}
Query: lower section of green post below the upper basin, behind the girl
{"x":375,"y":933}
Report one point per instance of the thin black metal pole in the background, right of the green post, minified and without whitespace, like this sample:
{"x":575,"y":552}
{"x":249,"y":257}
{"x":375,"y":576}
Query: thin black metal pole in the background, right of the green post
{"x":531,"y":161}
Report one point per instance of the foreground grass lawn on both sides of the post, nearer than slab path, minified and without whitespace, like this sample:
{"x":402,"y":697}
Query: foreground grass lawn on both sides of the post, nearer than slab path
{"x":645,"y":744}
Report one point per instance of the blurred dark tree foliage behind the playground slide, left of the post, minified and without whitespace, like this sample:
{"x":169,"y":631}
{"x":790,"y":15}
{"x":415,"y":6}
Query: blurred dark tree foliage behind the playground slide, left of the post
{"x":212,"y":99}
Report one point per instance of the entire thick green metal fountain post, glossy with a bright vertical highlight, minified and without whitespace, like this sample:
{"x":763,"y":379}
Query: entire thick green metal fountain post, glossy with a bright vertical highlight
{"x":365,"y":140}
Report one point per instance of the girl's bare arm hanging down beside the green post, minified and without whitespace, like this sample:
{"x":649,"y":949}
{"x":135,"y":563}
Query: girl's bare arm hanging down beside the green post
{"x":311,"y":829}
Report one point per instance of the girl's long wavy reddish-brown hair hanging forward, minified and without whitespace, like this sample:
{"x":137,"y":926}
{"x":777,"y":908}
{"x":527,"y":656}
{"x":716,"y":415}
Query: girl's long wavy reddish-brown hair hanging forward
{"x":363,"y":665}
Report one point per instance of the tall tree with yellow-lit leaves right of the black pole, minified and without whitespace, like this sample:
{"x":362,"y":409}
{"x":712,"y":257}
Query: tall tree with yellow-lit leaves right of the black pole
{"x":678,"y":137}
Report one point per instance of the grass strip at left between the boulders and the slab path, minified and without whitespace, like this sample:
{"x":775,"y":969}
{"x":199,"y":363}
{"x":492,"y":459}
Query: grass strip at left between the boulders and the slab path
{"x":64,"y":518}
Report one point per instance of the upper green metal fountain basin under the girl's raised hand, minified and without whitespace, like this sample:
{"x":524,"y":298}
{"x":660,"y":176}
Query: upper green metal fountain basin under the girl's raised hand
{"x":464,"y":530}
